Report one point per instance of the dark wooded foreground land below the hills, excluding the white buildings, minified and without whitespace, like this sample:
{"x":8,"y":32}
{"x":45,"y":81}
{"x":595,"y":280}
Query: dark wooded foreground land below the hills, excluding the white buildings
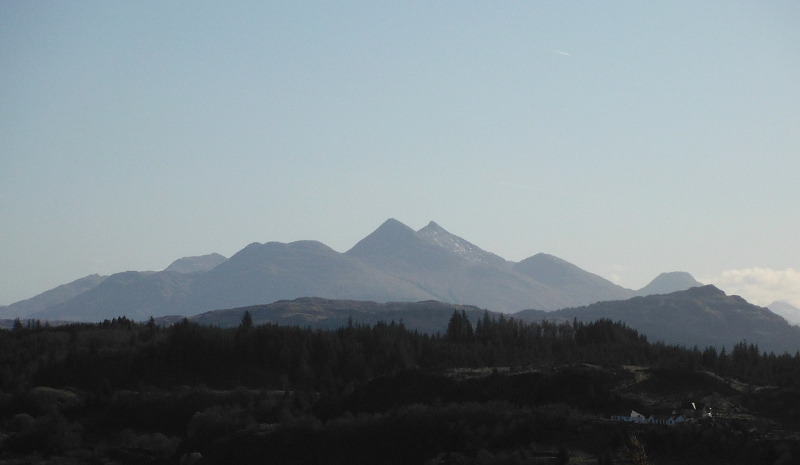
{"x":487,"y":391}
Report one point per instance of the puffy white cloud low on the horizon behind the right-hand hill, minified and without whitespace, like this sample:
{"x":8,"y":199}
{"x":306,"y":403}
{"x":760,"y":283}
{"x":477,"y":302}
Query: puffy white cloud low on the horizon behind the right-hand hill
{"x":760,"y":286}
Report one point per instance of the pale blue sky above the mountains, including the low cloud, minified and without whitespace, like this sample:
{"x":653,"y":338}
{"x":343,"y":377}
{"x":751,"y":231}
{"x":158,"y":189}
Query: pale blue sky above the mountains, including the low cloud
{"x":628,"y":138}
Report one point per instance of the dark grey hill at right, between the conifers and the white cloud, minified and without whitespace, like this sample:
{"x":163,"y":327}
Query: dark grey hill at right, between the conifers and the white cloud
{"x":702,"y":316}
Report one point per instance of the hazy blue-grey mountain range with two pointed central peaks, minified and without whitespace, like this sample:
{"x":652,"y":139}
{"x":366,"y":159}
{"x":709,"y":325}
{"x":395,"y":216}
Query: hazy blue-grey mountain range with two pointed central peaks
{"x":394,"y":263}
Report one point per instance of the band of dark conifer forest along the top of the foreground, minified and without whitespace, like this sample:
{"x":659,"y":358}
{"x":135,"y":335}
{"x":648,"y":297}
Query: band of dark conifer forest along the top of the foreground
{"x":122,"y":354}
